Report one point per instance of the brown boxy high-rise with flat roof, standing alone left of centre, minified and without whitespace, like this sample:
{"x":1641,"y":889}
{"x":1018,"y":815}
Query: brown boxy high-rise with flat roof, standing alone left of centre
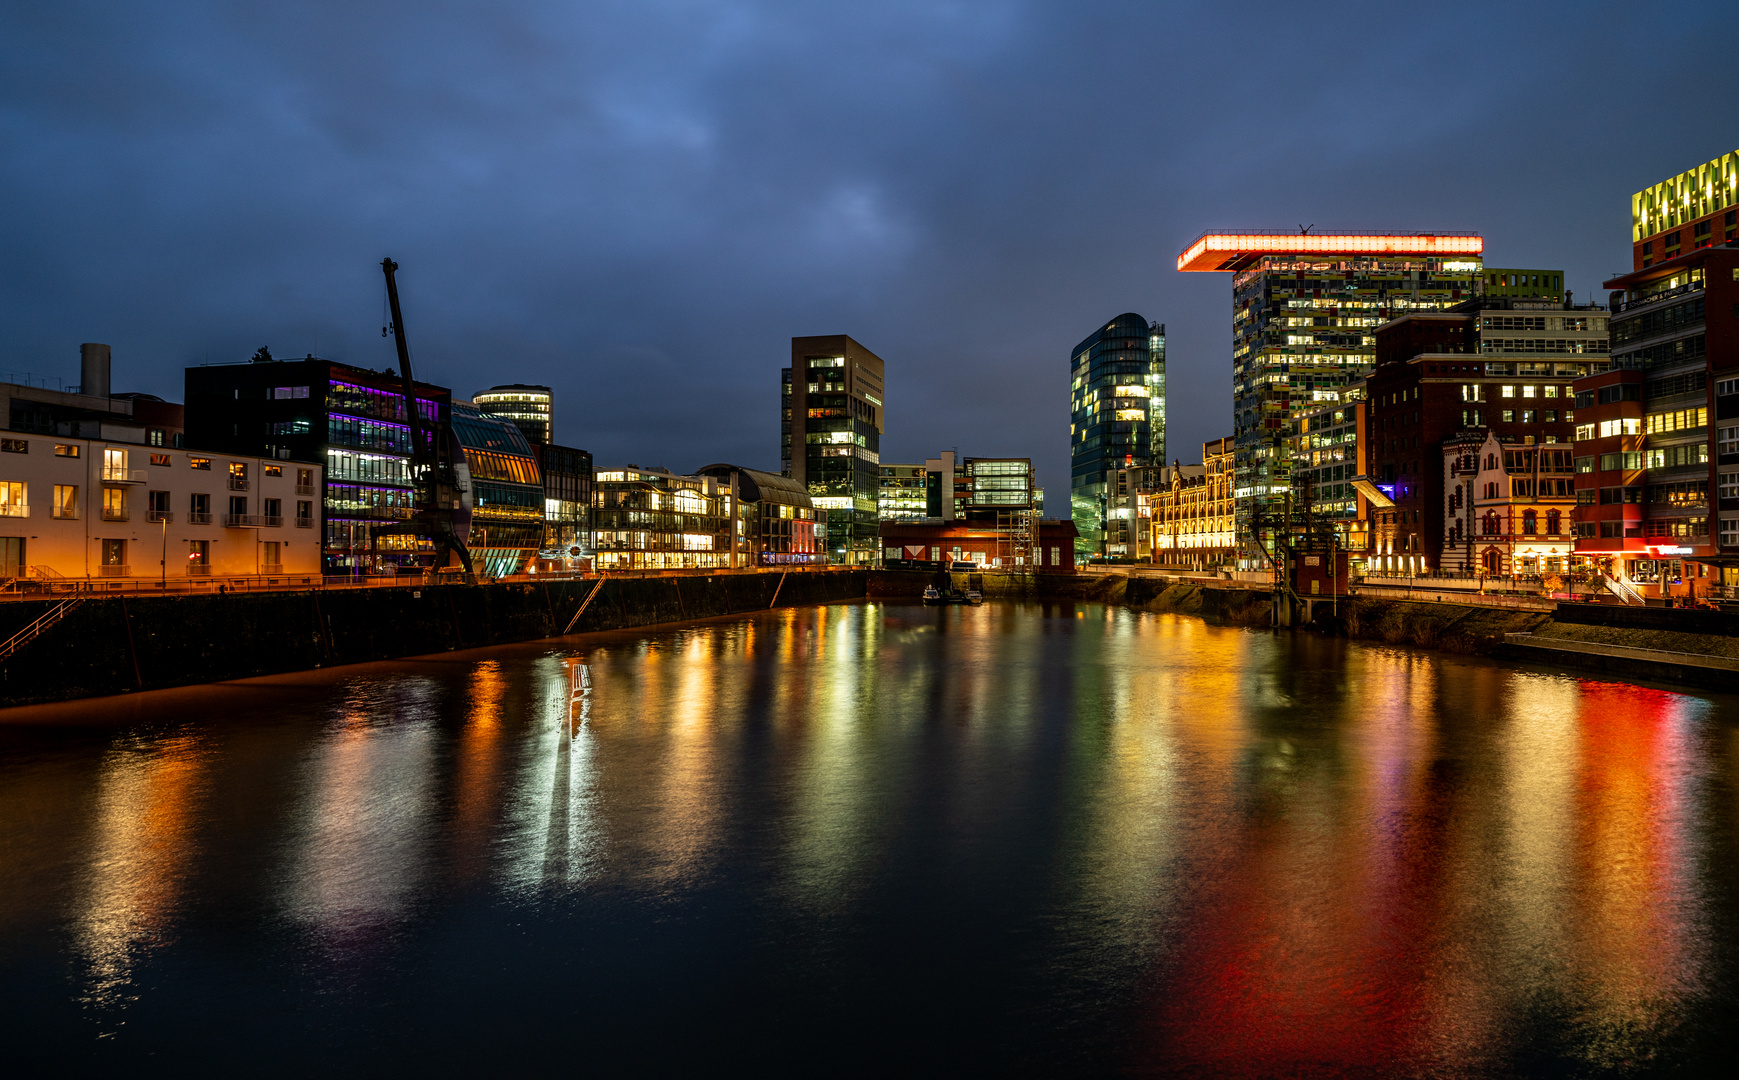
{"x":832,"y":439}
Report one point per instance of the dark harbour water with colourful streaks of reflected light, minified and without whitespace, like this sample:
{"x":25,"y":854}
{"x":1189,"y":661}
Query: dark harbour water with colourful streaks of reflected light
{"x":881,"y":839}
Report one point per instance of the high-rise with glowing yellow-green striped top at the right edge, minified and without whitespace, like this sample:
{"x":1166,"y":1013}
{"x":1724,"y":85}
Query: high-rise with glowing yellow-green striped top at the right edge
{"x":1658,"y":437}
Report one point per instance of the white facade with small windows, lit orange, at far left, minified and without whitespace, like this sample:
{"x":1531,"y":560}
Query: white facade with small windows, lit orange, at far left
{"x":95,"y":509}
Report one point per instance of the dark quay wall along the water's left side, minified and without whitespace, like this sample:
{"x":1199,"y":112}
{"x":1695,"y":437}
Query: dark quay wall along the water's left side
{"x":121,"y":644}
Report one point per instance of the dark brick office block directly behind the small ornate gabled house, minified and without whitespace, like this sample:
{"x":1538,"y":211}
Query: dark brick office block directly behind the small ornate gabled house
{"x":1496,"y":366}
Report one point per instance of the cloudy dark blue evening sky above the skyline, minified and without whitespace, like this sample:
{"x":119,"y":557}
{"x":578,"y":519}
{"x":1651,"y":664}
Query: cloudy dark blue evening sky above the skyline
{"x":643,"y":203}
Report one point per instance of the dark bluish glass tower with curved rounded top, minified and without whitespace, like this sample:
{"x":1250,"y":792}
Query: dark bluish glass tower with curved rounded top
{"x":1117,"y":417}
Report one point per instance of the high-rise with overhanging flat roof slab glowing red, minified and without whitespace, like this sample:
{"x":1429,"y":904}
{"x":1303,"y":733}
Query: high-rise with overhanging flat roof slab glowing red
{"x":1305,"y":316}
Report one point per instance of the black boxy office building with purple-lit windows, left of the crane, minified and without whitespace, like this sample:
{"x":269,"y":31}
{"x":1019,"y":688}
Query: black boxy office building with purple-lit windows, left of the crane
{"x":347,"y":418}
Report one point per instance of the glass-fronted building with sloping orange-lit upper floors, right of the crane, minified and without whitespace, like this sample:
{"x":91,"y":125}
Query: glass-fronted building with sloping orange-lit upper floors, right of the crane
{"x":502,"y":490}
